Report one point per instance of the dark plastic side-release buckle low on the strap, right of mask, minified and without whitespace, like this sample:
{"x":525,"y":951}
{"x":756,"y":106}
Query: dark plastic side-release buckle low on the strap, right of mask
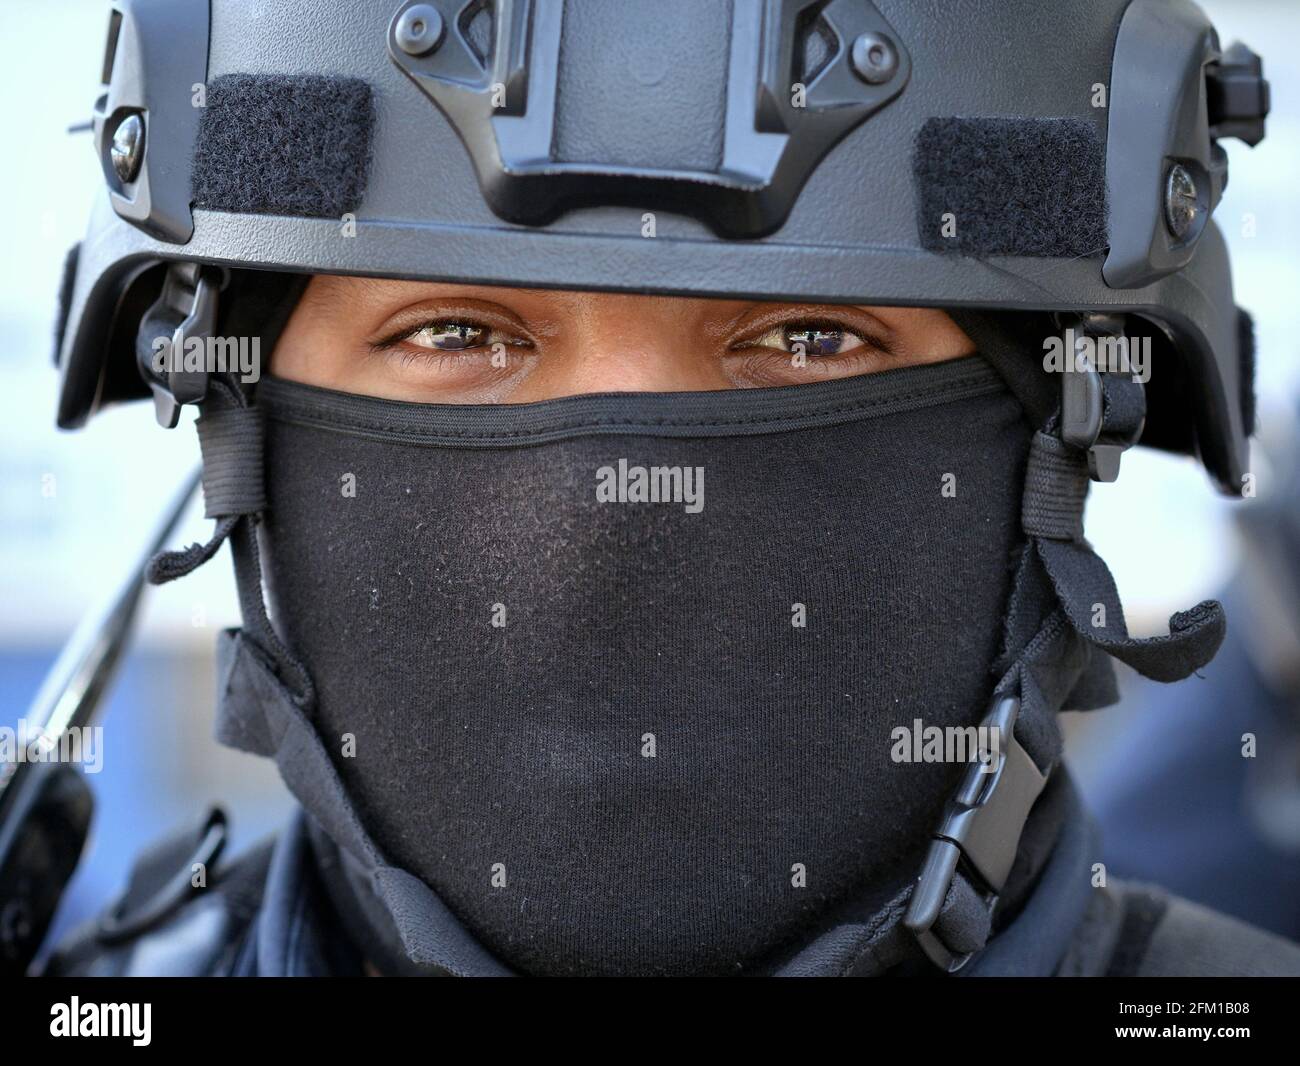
{"x":981,"y":831}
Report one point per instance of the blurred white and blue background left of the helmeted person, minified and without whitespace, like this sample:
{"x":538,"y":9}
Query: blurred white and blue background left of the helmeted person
{"x":77,"y":509}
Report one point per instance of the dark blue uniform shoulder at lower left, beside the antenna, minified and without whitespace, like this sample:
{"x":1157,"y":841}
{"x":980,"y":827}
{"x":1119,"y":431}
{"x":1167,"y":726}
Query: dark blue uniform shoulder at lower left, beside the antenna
{"x":164,"y":924}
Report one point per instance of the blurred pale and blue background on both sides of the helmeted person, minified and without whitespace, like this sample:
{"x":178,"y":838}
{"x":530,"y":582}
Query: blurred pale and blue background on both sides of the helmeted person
{"x":77,"y":508}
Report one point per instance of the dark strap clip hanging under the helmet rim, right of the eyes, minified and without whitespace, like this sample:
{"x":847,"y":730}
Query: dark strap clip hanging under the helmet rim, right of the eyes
{"x":1103,"y":413}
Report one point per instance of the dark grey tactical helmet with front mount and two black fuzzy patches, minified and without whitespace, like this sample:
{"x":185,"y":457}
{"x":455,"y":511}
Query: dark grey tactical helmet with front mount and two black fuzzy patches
{"x":829,"y":150}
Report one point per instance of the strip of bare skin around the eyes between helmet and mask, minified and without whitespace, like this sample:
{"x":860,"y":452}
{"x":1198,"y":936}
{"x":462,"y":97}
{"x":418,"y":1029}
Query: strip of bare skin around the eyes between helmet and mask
{"x":569,"y":344}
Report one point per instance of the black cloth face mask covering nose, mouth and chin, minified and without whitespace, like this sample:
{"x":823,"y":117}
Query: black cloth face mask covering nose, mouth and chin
{"x":617,"y":677}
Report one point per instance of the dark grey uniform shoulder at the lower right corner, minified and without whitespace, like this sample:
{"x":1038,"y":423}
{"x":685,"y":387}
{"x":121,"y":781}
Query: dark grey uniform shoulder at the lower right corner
{"x":1167,"y":937}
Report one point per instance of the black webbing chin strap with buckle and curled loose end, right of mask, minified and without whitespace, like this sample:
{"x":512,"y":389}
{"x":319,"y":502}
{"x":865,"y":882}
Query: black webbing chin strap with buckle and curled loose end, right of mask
{"x":1064,"y":621}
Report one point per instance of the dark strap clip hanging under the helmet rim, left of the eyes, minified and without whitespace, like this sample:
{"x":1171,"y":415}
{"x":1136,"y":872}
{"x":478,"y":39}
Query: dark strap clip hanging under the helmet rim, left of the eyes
{"x":187,"y":310}
